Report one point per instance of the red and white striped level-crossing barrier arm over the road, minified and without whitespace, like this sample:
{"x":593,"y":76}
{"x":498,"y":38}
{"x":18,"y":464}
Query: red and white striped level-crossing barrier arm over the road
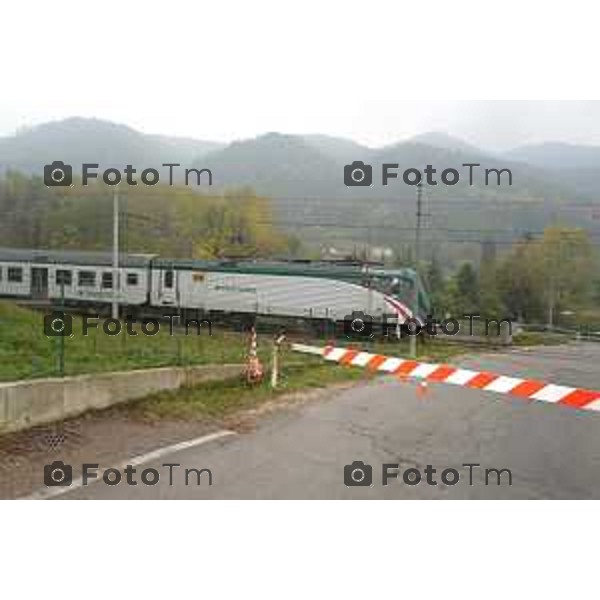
{"x":526,"y":389}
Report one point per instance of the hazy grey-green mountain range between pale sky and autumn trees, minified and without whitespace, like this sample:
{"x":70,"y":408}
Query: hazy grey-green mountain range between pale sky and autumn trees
{"x":303,"y":174}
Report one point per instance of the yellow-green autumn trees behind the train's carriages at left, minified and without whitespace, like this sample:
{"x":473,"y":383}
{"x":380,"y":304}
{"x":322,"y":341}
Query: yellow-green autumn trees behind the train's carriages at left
{"x":172,"y":221}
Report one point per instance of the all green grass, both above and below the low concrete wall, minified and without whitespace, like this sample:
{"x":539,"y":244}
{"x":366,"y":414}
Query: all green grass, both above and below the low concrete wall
{"x":26,"y":352}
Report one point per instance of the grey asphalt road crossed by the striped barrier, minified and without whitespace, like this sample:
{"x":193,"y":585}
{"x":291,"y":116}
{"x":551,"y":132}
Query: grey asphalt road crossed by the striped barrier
{"x":551,"y":452}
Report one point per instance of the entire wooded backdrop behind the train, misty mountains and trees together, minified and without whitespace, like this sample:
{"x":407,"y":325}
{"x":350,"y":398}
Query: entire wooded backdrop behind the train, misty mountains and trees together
{"x":527,"y":249}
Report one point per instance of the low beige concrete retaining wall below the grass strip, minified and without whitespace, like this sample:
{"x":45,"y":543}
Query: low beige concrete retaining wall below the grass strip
{"x":24,"y":404}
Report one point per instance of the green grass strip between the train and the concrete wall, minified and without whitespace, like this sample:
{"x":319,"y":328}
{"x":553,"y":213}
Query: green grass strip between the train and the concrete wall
{"x":26,"y":352}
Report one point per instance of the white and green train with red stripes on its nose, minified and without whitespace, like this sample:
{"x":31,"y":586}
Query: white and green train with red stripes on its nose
{"x":284,"y":290}
